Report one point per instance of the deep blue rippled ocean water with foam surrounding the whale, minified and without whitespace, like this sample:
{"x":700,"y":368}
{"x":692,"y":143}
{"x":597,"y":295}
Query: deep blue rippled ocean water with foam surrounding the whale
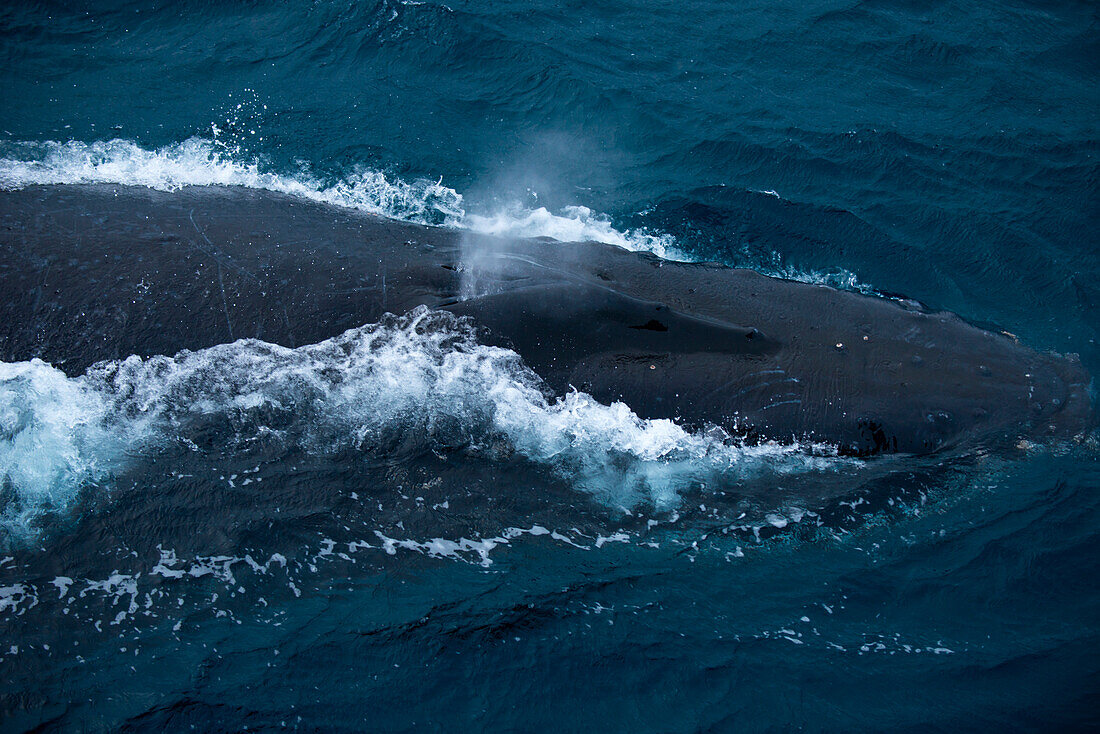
{"x":230,"y":540}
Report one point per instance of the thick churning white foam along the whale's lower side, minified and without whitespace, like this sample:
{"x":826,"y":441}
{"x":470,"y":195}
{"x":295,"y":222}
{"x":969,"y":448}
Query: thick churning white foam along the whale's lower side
{"x":412,"y":384}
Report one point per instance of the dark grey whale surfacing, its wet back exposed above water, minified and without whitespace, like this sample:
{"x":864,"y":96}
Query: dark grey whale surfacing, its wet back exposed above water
{"x":100,"y":272}
